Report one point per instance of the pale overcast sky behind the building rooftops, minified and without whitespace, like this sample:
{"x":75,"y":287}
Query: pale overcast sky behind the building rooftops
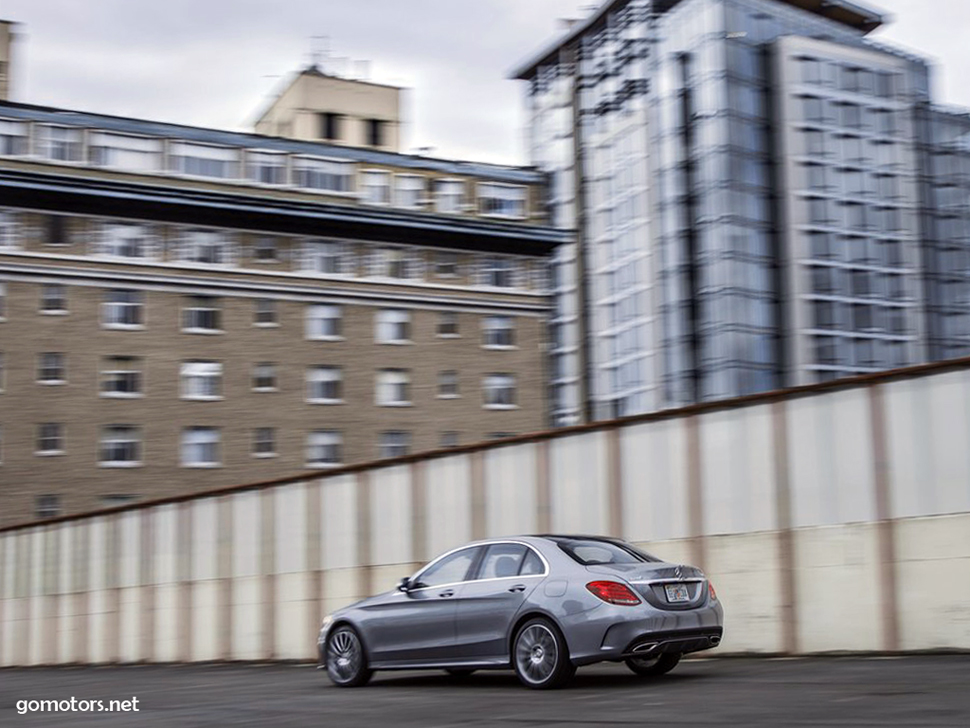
{"x":215,"y":62}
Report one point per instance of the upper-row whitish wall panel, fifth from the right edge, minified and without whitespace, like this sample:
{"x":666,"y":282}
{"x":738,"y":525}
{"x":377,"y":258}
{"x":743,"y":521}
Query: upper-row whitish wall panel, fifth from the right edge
{"x":578,"y":492}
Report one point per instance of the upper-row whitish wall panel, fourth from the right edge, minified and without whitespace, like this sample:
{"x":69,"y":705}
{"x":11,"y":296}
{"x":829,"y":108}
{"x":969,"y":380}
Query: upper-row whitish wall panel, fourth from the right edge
{"x":654,"y":493}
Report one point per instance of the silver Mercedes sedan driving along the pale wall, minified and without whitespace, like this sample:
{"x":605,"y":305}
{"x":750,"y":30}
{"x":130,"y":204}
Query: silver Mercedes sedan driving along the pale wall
{"x":541,"y":605}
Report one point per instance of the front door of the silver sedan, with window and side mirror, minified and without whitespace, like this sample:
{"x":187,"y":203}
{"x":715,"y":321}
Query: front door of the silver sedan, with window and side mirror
{"x":418,"y":625}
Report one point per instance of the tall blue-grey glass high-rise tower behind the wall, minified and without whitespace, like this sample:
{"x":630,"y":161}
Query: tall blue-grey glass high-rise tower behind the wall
{"x":764,"y":197}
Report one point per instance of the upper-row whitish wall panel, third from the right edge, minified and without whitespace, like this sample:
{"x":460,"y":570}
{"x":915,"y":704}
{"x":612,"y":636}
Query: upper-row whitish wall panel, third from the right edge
{"x":738,"y":471}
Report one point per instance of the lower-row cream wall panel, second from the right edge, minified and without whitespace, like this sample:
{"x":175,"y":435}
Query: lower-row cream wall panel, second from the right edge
{"x":837,"y":588}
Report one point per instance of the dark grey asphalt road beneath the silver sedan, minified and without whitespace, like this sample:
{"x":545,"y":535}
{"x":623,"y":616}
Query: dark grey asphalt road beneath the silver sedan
{"x":916,"y":691}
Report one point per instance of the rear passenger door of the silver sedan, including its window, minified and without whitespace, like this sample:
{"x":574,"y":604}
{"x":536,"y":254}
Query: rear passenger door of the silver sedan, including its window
{"x":507,"y":575}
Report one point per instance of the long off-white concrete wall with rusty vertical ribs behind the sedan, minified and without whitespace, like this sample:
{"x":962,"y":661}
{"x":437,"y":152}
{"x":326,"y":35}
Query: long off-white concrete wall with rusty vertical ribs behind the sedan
{"x":829,"y":520}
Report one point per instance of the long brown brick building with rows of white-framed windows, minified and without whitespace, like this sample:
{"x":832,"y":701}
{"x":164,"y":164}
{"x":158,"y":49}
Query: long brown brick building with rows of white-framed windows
{"x":185,"y":308}
